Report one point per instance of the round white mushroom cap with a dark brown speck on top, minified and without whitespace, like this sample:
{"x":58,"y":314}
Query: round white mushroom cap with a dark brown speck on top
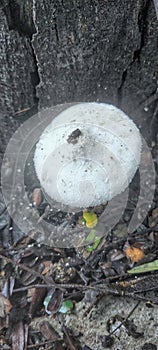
{"x":87,"y":155}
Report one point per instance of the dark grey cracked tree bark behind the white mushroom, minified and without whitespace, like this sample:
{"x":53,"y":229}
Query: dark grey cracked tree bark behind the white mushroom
{"x":55,"y":51}
